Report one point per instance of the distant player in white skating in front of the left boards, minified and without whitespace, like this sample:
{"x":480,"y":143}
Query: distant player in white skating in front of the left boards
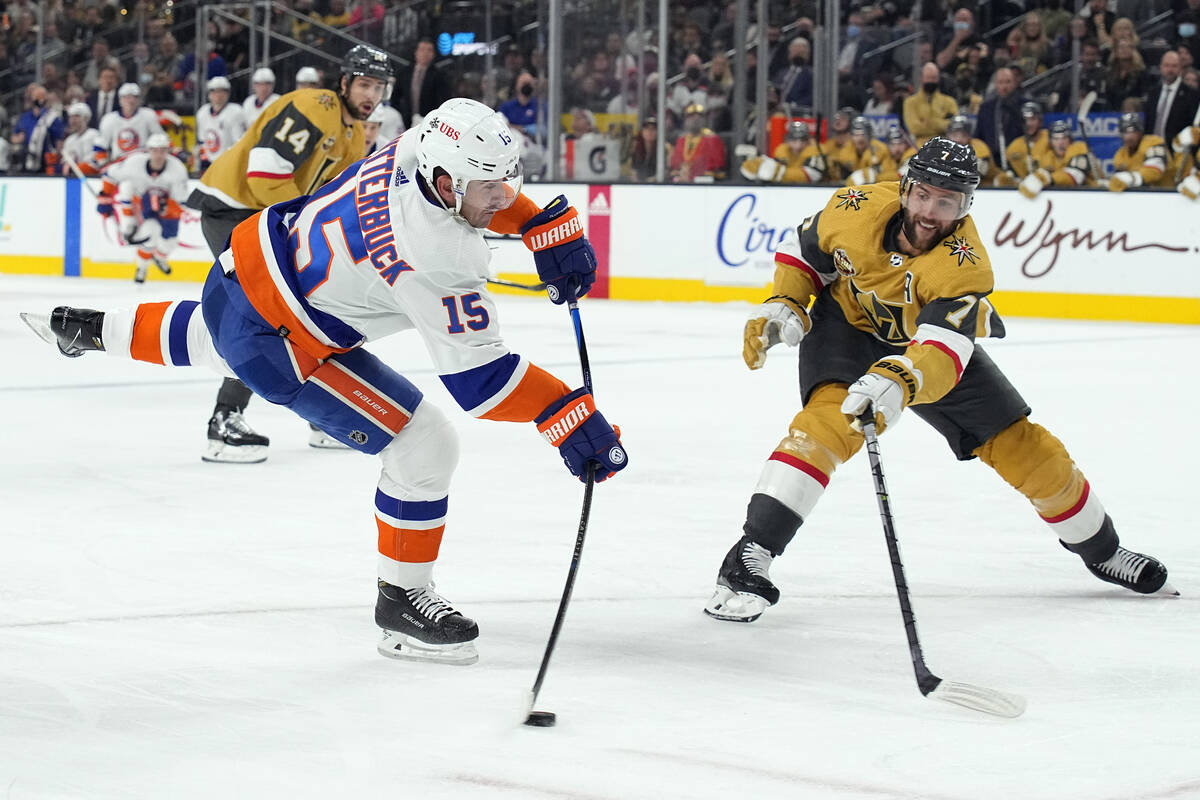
{"x":151,"y":188}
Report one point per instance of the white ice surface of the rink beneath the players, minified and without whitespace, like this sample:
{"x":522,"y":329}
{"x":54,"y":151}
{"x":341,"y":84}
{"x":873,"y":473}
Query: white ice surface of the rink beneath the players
{"x":173,"y":629}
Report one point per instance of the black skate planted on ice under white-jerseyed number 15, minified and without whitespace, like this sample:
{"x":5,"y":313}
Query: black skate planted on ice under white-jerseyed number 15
{"x":419,"y":624}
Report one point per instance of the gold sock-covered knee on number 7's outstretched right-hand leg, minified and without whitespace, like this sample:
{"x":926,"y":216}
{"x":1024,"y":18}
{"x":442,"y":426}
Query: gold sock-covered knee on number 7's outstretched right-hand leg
{"x":1035,"y":464}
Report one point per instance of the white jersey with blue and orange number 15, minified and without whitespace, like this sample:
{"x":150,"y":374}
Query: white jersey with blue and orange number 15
{"x":369,"y":256}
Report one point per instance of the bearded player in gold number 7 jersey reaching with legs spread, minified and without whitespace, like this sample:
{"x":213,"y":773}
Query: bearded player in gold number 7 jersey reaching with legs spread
{"x":902,"y":281}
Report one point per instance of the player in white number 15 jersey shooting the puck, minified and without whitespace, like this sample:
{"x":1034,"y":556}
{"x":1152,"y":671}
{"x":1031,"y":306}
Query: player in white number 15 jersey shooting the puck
{"x":395,"y":243}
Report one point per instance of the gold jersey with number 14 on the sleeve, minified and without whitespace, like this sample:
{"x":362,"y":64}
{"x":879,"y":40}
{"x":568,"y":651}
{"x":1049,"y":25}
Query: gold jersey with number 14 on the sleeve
{"x":295,"y":147}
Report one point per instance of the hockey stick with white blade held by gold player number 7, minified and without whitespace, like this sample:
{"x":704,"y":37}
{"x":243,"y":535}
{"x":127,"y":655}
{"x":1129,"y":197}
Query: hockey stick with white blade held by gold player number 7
{"x":979,"y":699}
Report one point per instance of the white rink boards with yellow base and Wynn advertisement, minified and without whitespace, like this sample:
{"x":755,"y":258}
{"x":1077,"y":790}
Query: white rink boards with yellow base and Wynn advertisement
{"x":1087,"y":255}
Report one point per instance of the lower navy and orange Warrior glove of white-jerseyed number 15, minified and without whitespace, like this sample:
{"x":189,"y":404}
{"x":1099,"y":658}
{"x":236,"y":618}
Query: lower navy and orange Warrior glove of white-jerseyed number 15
{"x":583,"y":436}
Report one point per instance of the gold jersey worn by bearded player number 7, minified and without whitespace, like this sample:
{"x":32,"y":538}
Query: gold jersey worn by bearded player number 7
{"x":931,"y":308}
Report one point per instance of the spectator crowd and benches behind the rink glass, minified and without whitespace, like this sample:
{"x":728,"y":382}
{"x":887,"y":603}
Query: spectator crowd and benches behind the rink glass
{"x":905,"y":73}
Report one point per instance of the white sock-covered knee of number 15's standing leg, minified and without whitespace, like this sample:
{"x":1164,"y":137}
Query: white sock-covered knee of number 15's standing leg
{"x":419,"y":462}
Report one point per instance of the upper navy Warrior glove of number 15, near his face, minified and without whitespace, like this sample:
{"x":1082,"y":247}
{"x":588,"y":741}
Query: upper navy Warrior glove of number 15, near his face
{"x":566,"y":262}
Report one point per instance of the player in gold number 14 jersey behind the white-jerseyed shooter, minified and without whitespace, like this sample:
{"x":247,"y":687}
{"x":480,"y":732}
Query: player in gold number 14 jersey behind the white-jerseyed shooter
{"x":297,"y":145}
